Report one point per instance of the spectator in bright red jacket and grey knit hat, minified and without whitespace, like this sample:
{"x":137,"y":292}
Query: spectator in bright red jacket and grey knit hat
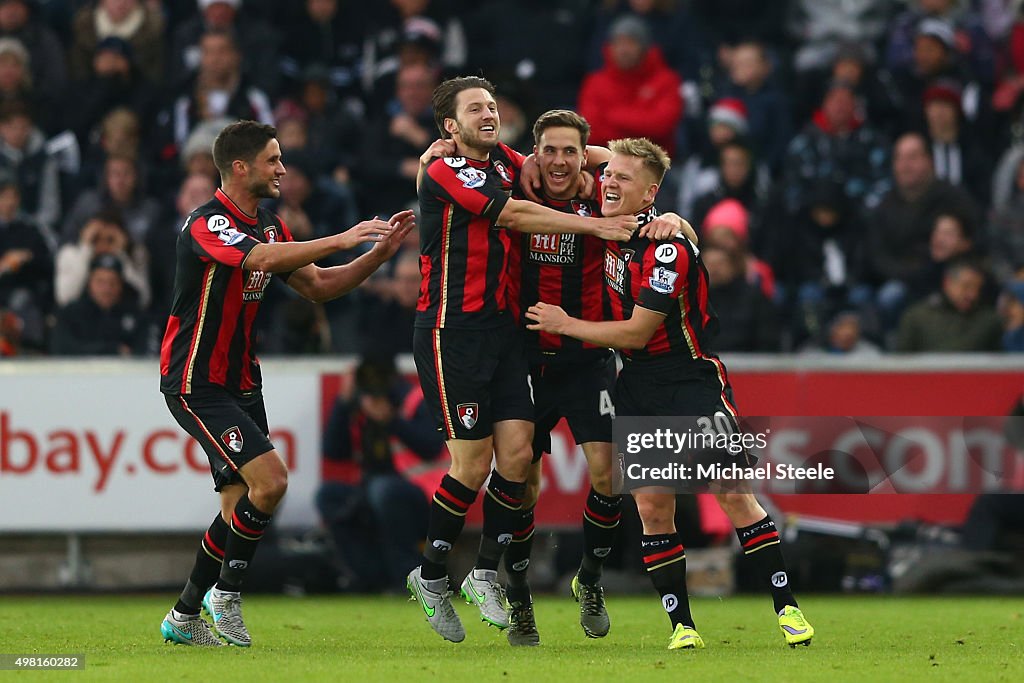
{"x":635,"y":95}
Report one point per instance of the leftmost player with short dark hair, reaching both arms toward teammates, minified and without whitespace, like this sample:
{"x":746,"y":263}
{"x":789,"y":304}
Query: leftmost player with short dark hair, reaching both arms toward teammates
{"x":228,"y":252}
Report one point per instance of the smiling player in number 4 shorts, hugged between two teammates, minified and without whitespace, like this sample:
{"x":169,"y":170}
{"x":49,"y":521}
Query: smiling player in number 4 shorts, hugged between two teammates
{"x":570,"y":378}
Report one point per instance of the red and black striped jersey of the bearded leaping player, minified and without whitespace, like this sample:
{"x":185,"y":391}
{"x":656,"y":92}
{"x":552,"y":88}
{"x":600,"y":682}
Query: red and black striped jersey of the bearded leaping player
{"x":463,"y":253}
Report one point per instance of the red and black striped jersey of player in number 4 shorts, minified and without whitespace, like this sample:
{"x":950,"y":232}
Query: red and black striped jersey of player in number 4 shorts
{"x":564,"y":270}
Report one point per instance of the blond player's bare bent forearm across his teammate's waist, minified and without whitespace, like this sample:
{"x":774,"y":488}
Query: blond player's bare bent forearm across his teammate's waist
{"x":634,"y":333}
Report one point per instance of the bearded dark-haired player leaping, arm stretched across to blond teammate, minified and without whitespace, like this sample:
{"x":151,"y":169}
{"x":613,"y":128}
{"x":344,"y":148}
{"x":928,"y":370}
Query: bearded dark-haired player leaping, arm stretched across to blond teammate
{"x":468,"y":353}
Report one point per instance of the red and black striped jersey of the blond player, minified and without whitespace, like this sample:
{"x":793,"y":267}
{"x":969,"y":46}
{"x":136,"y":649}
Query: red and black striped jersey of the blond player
{"x":669,"y":278}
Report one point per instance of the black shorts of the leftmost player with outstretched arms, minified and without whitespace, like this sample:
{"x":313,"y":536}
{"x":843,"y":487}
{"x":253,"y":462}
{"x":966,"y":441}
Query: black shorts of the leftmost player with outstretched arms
{"x":233,"y":431}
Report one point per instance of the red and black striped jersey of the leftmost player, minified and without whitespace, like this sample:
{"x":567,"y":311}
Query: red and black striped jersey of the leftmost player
{"x":208,"y":340}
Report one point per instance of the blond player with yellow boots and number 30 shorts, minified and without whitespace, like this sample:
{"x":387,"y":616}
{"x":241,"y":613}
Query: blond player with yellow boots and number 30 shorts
{"x":662,"y":323}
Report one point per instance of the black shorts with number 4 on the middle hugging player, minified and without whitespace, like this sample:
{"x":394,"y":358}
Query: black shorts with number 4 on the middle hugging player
{"x":581,"y":393}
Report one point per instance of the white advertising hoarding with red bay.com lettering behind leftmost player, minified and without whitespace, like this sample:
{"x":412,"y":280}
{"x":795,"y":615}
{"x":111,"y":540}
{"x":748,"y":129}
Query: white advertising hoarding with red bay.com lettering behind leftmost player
{"x":90,"y":446}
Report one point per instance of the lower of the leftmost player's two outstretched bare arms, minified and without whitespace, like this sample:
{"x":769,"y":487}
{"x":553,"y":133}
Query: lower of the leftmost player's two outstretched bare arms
{"x":319,"y":285}
